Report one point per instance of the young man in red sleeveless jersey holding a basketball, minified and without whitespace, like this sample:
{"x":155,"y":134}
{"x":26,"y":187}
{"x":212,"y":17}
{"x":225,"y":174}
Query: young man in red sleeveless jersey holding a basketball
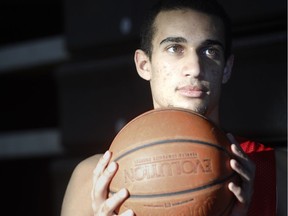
{"x":185,"y":55}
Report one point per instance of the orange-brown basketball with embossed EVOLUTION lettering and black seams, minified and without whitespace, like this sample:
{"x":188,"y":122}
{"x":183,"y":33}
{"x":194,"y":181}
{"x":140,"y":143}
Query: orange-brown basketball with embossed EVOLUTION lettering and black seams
{"x":173,"y":162}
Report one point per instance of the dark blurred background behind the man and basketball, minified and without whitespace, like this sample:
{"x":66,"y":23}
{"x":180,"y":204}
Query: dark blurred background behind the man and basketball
{"x":69,"y":104}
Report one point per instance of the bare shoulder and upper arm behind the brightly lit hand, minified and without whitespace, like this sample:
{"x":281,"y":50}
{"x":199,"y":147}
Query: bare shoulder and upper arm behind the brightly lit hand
{"x":77,"y":196}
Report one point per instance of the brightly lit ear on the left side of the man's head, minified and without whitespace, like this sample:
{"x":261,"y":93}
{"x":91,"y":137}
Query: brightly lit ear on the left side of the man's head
{"x":142,"y":63}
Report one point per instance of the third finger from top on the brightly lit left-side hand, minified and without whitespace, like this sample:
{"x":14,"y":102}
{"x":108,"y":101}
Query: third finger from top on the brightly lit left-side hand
{"x":113,"y":202}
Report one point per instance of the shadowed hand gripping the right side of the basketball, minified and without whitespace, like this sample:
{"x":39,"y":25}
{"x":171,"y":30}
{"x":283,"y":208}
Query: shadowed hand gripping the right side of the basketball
{"x":246,"y":170}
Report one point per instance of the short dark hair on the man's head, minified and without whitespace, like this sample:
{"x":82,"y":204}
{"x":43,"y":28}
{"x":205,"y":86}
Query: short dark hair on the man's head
{"x":210,"y":7}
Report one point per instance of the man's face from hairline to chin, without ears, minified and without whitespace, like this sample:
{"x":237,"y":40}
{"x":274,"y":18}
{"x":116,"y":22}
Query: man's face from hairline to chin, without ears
{"x":187,"y":62}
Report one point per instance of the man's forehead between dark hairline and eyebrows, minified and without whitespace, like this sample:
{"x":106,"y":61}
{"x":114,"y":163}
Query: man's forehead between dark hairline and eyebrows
{"x":194,"y":26}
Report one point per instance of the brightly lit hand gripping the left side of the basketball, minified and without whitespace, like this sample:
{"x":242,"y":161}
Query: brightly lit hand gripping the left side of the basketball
{"x":102,"y":176}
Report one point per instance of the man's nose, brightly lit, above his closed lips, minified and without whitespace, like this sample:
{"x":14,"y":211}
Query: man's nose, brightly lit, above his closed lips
{"x":191,"y":65}
